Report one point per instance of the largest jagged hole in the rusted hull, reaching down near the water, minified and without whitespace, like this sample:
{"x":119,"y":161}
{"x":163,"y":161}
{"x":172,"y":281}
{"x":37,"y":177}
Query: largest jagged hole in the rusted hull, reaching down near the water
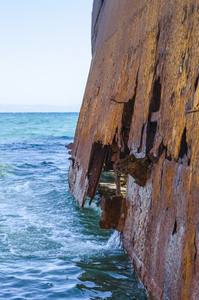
{"x":112,"y":185}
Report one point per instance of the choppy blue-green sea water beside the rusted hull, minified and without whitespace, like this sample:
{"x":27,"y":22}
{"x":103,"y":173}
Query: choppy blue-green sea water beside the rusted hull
{"x":49,"y":247}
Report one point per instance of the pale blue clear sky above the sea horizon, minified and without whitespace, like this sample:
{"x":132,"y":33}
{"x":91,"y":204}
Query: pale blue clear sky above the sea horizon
{"x":45,"y":53}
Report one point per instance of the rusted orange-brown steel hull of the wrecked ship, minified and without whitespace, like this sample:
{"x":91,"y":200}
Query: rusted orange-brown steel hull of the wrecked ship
{"x":142,"y":98}
